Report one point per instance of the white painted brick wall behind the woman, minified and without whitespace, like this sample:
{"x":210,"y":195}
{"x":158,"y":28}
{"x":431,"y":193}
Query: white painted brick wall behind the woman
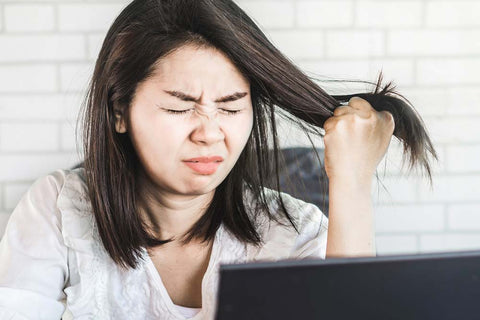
{"x":430,"y":49}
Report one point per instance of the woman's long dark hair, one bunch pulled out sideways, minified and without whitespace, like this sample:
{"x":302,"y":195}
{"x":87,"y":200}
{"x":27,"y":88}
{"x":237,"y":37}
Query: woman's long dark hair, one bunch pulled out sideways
{"x":147,"y":30}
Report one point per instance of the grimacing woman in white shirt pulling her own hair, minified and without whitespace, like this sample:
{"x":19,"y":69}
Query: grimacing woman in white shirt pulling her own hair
{"x":178,"y":123}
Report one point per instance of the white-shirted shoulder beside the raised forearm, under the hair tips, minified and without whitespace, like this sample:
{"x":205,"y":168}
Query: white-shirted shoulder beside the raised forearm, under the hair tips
{"x":281,"y":241}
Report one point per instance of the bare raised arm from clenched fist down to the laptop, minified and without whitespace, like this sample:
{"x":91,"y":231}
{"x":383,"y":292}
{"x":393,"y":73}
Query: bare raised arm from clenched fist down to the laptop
{"x":356,"y":139}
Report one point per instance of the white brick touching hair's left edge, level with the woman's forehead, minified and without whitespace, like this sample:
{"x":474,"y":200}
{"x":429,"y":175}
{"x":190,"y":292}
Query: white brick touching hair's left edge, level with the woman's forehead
{"x":75,"y":77}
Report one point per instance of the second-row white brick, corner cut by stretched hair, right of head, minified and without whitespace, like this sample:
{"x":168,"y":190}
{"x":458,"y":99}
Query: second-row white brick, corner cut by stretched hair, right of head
{"x":299,"y":44}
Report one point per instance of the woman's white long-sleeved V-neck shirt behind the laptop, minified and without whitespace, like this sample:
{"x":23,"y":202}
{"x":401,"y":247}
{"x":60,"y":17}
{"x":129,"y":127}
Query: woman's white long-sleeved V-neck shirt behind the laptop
{"x":52,"y":259}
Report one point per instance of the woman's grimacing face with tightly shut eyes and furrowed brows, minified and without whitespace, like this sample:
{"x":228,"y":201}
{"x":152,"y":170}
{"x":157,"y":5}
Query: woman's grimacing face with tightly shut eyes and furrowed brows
{"x":178,"y":115}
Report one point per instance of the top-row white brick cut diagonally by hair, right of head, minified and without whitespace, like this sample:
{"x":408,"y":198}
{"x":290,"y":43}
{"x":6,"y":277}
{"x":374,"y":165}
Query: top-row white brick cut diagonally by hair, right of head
{"x":270,"y":14}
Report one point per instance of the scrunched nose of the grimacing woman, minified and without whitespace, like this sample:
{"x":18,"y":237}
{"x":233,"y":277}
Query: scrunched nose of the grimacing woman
{"x":207,"y":130}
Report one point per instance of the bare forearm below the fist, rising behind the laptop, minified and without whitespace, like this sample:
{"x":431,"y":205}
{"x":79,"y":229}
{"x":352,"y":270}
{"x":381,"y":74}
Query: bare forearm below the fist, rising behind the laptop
{"x":351,"y":230}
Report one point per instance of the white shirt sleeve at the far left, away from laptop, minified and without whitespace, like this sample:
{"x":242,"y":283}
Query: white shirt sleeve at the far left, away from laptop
{"x":33,"y":257}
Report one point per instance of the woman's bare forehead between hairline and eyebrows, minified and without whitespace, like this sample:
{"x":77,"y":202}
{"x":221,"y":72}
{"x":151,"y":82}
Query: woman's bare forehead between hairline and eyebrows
{"x":193,"y":69}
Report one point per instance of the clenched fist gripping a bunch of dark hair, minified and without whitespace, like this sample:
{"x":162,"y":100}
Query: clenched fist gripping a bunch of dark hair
{"x":356,"y":139}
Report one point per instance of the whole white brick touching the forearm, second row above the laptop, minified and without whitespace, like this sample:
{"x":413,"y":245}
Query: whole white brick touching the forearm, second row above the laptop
{"x":409,"y":218}
